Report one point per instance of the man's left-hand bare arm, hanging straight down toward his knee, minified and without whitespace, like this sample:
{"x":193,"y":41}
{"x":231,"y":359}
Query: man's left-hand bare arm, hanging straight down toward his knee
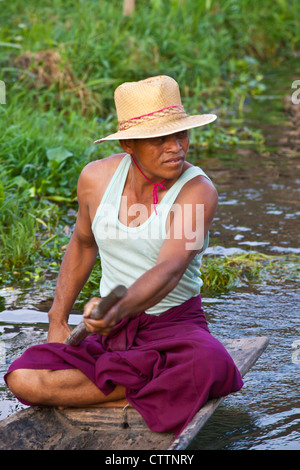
{"x":76,"y":266}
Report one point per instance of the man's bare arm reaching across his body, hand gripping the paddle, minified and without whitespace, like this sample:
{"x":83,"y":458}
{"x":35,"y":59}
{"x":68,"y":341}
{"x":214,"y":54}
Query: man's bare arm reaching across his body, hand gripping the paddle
{"x":174,"y":257}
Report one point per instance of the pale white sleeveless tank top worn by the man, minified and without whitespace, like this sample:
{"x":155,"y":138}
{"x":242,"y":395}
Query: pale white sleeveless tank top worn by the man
{"x":128,"y":252}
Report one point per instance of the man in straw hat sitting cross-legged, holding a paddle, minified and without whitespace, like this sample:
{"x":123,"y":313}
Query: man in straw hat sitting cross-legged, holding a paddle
{"x":142,"y":210}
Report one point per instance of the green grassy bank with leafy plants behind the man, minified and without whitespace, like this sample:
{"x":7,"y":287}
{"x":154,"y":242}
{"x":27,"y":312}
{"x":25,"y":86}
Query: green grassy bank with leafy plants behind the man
{"x":60,"y":62}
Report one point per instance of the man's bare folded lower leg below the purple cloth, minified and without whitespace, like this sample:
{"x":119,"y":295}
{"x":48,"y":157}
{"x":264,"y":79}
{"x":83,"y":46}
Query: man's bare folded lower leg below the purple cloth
{"x":69,"y":387}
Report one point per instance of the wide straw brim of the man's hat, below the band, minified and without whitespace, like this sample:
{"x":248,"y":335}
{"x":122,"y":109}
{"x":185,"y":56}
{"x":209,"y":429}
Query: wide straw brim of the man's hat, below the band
{"x":171,"y":127}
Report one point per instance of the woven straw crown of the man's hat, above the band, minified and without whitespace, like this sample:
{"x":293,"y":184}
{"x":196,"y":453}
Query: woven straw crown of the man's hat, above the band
{"x":133,"y":99}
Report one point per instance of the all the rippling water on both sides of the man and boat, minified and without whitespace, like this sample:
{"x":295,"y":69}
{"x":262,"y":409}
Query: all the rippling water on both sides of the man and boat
{"x":258,"y":211}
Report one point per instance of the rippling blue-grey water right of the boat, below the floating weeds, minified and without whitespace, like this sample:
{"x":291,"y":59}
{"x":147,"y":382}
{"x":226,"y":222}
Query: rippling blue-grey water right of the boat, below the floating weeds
{"x":265,"y":414}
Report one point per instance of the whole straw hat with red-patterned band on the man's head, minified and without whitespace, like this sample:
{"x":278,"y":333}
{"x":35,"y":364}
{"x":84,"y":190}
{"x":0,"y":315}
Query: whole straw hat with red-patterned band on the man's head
{"x":152,"y":108}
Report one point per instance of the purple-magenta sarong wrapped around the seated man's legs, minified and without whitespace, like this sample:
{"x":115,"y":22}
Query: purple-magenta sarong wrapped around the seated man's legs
{"x":170,"y":364}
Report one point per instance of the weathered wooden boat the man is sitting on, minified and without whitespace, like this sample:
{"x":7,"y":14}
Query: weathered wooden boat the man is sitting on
{"x":115,"y":426}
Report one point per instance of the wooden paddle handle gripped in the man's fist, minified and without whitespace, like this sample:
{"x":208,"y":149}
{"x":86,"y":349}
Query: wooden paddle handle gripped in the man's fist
{"x":98,"y":312}
